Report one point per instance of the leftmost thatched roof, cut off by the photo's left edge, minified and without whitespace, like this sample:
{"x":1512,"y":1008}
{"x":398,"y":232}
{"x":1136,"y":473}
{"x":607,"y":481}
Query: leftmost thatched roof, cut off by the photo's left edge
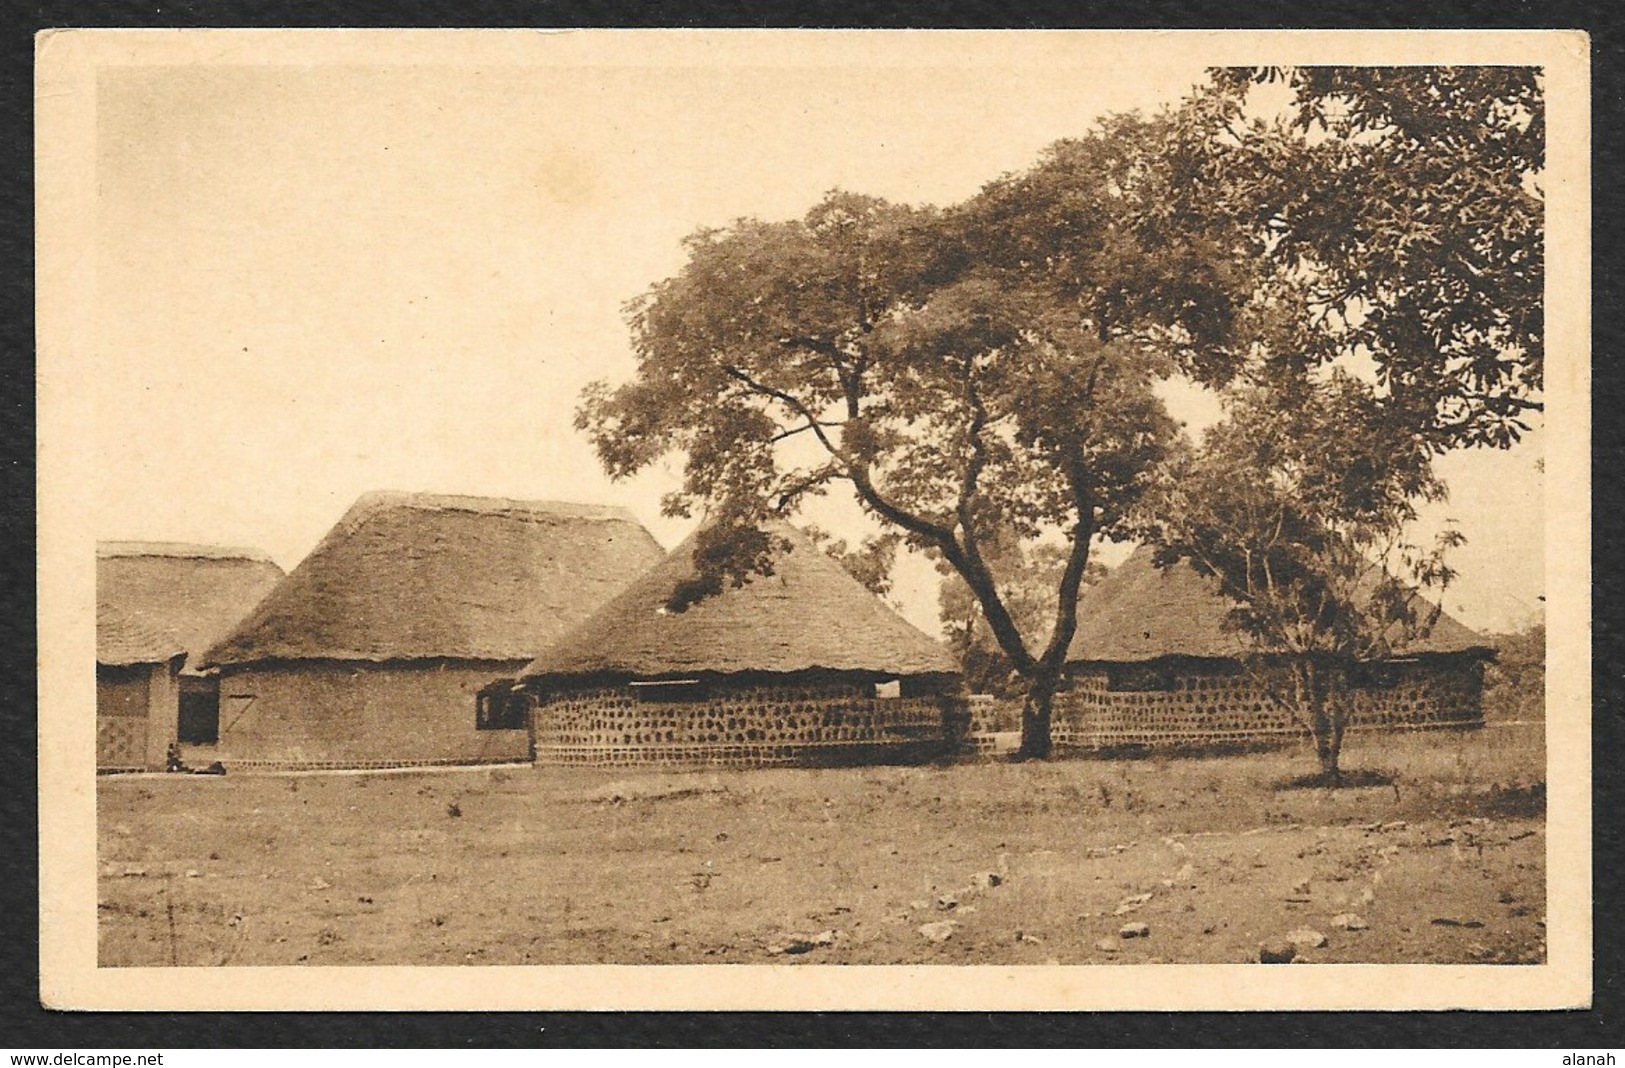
{"x":165,"y":596}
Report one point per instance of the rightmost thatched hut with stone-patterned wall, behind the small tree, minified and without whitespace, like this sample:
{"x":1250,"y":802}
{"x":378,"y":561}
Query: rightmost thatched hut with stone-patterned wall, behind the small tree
{"x":1155,"y":666}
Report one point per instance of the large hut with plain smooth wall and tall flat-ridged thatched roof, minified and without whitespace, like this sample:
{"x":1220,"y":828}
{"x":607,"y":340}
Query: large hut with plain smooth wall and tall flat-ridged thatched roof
{"x":379,"y":649}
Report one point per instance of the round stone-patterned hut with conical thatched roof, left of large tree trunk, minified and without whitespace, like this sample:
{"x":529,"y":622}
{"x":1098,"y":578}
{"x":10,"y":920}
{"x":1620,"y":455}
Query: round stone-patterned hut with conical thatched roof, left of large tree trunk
{"x":797,"y":667}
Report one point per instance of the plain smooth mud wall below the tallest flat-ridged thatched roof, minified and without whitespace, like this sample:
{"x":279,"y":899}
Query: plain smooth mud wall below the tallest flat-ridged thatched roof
{"x":337,"y":714}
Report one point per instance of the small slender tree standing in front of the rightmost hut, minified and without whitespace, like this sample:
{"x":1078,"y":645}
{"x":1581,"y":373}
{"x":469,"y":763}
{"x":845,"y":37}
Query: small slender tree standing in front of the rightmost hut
{"x":1298,"y":506}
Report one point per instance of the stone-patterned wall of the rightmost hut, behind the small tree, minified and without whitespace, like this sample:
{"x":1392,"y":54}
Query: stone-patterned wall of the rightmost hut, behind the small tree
{"x":1236,"y":710}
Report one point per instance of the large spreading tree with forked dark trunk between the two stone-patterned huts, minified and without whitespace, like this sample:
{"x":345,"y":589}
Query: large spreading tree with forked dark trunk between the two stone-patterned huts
{"x":973,"y":376}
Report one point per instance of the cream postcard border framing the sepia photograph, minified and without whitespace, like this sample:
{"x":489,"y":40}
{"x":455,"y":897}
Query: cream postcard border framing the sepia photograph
{"x":67,"y":64}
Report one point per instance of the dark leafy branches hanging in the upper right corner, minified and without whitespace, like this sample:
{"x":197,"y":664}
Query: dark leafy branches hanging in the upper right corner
{"x":1403,"y":215}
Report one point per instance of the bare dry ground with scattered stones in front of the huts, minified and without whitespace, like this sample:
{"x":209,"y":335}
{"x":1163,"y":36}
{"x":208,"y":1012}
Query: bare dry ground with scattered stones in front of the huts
{"x":999,"y":864}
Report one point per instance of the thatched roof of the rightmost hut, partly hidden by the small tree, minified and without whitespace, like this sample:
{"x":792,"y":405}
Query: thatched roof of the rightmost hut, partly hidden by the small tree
{"x":1140,"y":612}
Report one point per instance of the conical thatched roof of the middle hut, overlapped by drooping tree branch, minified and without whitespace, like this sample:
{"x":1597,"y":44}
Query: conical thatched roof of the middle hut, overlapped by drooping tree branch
{"x":808,"y":615}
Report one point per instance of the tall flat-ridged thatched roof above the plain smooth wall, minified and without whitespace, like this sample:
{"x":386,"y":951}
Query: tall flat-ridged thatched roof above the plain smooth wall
{"x":427,"y":578}
